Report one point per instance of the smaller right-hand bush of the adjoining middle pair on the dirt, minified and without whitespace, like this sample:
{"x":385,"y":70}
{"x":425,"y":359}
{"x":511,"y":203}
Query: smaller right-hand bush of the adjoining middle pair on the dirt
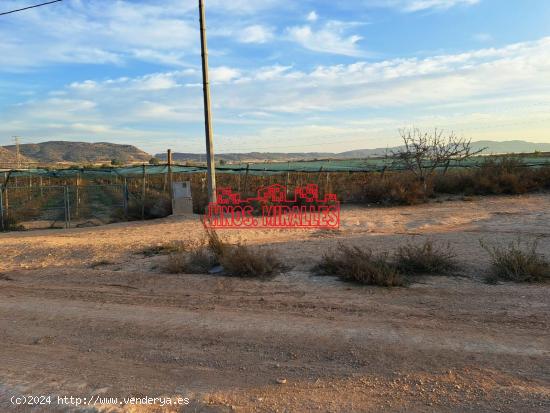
{"x":426,"y":258}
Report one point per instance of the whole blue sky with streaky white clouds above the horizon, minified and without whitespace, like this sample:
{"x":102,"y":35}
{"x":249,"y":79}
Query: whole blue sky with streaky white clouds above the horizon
{"x":287,"y":76}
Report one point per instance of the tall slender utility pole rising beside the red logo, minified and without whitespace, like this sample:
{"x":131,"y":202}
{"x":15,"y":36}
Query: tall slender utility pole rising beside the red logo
{"x":211,"y":163}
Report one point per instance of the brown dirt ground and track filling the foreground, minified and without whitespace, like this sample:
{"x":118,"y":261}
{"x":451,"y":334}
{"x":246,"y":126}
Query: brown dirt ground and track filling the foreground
{"x":83,"y":314}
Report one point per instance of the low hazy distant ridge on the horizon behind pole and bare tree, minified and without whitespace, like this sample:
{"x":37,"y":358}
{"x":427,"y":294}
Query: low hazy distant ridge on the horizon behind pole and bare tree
{"x":492,"y":148}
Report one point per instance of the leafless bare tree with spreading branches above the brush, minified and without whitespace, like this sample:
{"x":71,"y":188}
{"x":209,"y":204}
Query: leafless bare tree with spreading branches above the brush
{"x":423,"y":153}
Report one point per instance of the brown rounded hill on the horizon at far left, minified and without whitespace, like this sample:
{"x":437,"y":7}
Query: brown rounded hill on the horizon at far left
{"x":80,"y":152}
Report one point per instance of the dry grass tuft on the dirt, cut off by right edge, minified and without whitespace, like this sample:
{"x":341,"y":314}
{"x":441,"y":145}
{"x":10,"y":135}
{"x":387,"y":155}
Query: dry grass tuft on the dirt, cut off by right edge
{"x":517,"y":262}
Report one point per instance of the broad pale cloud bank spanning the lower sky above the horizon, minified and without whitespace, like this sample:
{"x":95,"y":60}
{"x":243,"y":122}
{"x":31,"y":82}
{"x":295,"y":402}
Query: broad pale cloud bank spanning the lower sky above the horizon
{"x":503,"y":91}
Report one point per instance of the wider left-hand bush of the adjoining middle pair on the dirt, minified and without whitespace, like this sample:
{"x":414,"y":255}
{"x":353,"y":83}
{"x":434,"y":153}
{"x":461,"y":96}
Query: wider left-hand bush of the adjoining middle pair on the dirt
{"x":361,"y":266}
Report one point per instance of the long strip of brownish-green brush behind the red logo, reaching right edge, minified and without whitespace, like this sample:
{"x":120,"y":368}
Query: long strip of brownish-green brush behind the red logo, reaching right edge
{"x":492,"y":175}
